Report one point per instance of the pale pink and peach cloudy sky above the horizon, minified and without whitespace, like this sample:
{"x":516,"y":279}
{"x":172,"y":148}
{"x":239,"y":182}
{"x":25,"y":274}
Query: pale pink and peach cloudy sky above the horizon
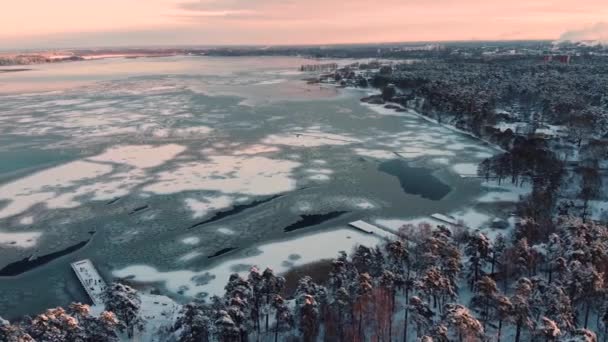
{"x":30,"y":23}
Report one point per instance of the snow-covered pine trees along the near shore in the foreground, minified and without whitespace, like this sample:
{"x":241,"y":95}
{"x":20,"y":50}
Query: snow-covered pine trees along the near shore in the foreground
{"x":431,"y":284}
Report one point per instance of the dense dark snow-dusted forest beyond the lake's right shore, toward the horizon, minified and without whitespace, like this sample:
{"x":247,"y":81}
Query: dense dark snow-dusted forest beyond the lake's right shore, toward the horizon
{"x":469,"y":92}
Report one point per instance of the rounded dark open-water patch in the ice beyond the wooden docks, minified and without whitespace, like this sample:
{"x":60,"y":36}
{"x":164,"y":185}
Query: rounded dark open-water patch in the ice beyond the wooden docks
{"x":416,"y":180}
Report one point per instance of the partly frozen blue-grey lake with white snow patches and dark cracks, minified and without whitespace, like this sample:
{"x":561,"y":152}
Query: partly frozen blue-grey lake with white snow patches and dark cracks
{"x":178,"y":171}
